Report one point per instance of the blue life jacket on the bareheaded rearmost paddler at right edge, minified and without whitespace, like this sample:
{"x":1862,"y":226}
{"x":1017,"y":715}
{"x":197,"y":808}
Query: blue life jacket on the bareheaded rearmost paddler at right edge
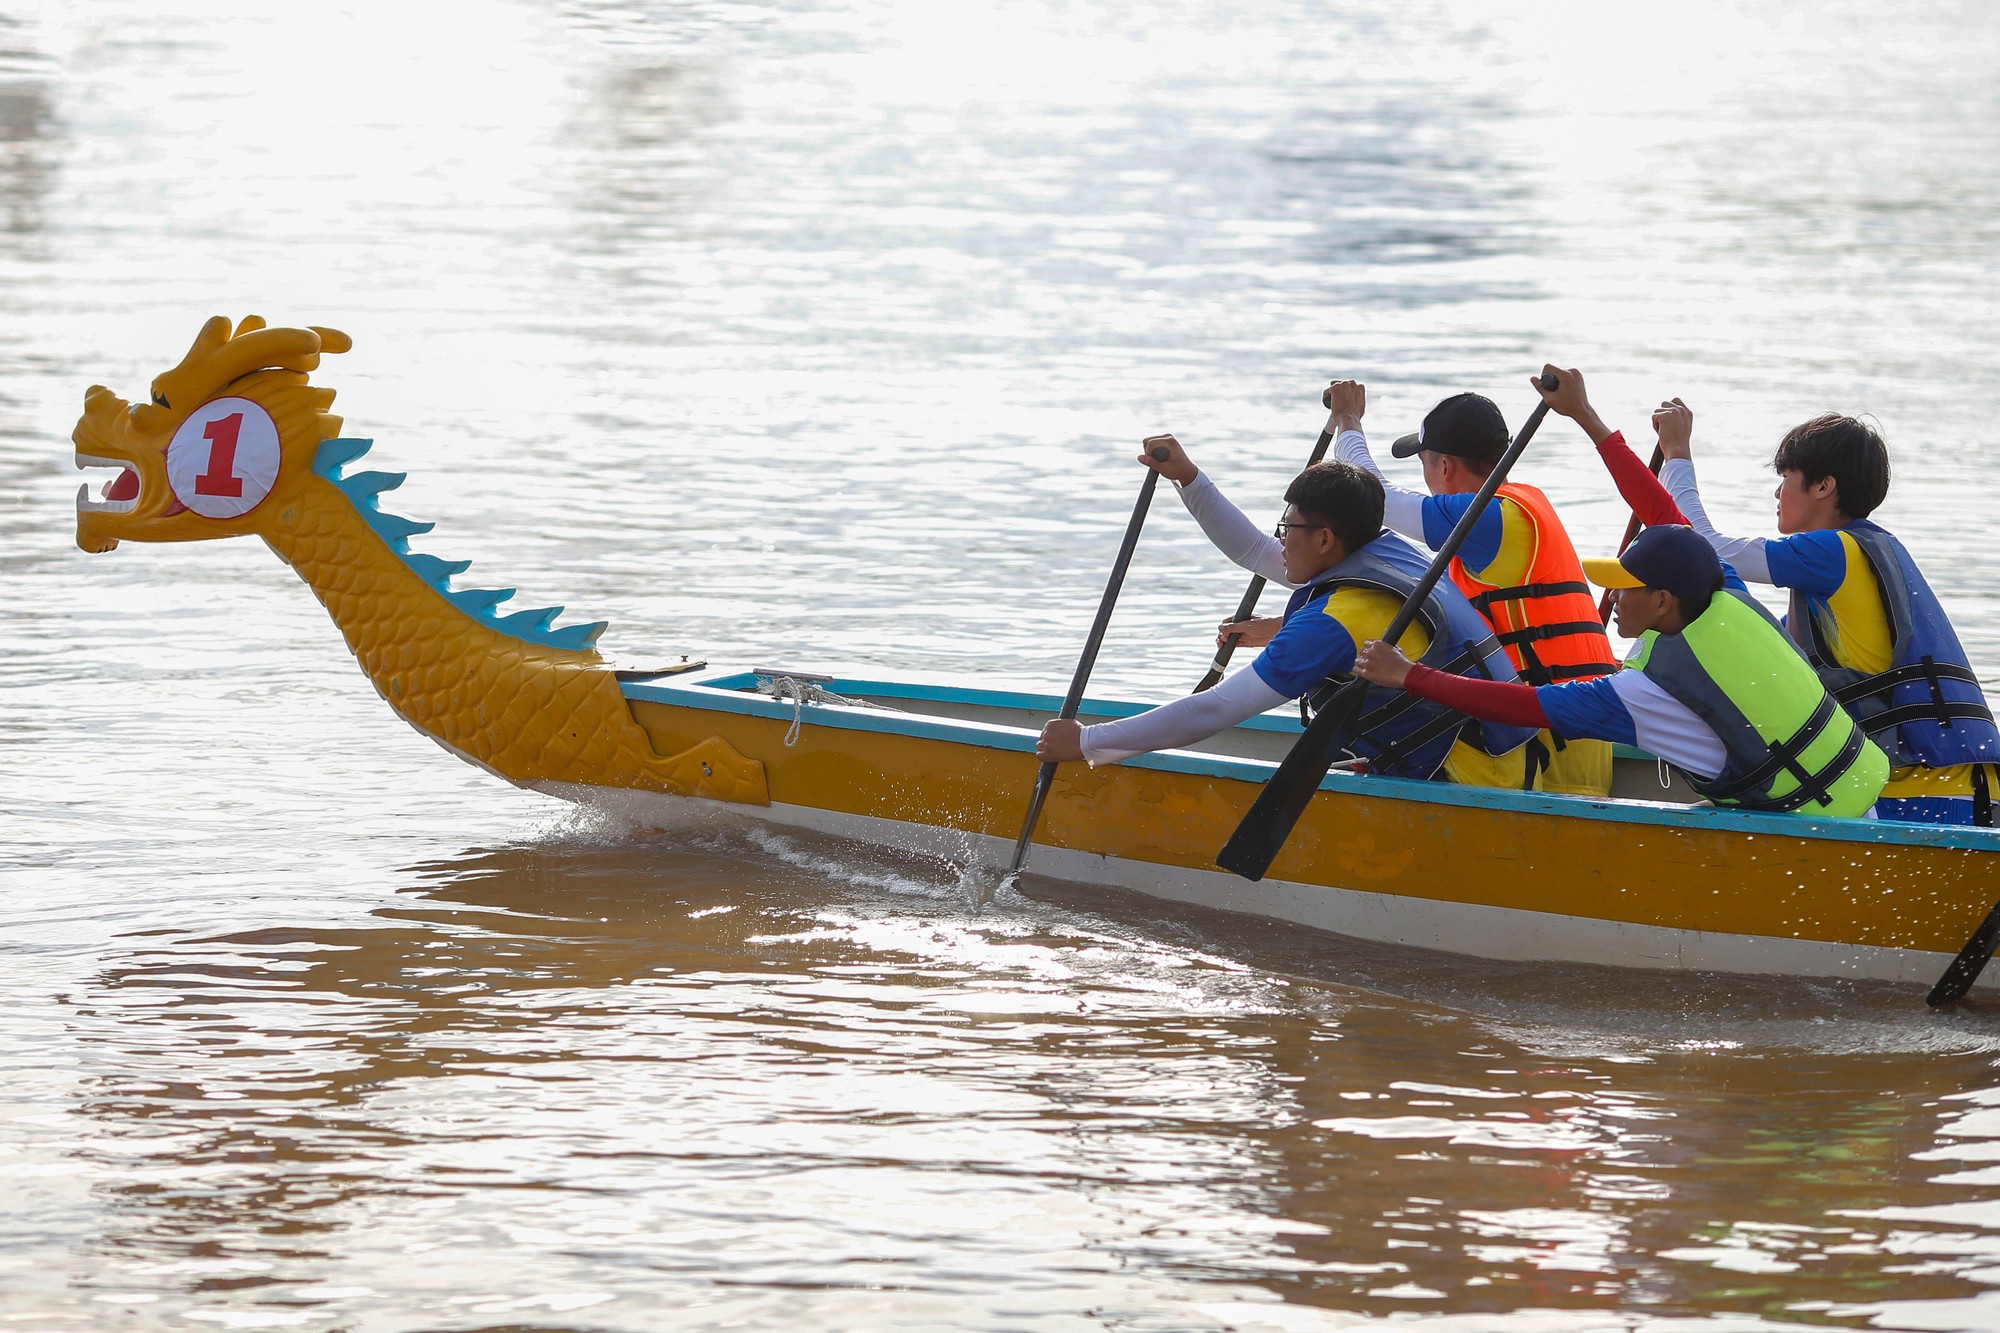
{"x":1927,"y":708}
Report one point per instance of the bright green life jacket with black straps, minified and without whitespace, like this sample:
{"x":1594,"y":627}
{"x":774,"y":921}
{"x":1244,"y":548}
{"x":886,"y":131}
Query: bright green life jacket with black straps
{"x":1789,"y":746}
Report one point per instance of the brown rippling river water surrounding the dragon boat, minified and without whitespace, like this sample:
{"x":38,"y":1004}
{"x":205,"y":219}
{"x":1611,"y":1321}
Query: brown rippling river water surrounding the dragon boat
{"x":821,"y":331}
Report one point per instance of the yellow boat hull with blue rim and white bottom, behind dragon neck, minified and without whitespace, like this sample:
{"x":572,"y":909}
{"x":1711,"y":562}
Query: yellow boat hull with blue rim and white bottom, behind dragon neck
{"x":1489,"y":874}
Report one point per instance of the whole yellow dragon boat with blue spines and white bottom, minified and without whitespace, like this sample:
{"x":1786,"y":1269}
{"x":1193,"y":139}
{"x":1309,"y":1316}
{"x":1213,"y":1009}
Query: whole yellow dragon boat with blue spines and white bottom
{"x":237,"y":441}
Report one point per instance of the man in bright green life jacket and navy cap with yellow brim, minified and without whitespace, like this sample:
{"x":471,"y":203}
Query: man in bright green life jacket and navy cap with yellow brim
{"x":1713,"y":688}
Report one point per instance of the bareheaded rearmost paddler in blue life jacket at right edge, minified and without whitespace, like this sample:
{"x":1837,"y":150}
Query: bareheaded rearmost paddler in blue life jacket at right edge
{"x":1863,"y":613}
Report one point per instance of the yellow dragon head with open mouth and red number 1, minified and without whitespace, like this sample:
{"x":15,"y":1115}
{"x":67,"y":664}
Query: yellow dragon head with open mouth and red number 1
{"x":227,"y":441}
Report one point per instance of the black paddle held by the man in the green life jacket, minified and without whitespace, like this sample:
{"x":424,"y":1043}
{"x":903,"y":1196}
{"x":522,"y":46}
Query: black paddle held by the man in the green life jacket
{"x":1263,"y":832}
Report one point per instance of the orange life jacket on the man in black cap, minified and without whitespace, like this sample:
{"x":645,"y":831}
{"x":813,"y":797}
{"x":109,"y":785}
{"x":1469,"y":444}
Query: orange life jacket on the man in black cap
{"x":1549,"y":623}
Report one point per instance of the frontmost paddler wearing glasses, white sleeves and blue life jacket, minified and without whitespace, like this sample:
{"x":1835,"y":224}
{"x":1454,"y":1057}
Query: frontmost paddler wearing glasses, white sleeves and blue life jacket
{"x":1351,"y":579}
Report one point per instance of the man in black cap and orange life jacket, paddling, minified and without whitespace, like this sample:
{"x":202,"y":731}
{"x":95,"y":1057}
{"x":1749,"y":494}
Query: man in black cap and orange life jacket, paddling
{"x":1517,"y":567}
